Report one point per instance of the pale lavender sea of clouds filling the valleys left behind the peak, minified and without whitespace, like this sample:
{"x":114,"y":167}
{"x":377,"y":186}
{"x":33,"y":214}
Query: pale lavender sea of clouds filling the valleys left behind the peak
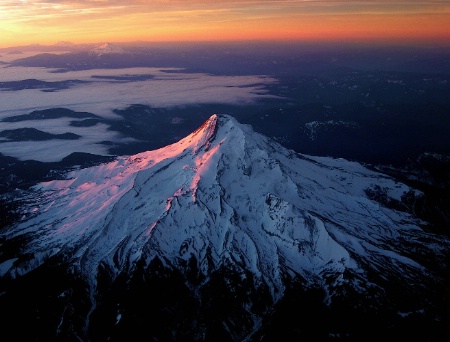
{"x":103,"y":90}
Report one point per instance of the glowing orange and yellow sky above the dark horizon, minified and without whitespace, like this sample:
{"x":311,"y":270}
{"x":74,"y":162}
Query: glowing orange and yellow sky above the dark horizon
{"x":24,"y":22}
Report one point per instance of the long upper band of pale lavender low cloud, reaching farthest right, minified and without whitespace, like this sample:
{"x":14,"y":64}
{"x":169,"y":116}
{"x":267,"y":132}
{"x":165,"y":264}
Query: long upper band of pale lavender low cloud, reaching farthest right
{"x":100,"y":95}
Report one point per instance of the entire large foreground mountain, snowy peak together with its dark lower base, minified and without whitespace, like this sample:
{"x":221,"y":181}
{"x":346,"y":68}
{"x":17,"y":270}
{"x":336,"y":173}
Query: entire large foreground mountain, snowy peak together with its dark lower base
{"x":228,"y":223}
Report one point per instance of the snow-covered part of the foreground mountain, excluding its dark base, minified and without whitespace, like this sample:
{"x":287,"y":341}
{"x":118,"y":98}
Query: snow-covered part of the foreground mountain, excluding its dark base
{"x":226,"y":196}
